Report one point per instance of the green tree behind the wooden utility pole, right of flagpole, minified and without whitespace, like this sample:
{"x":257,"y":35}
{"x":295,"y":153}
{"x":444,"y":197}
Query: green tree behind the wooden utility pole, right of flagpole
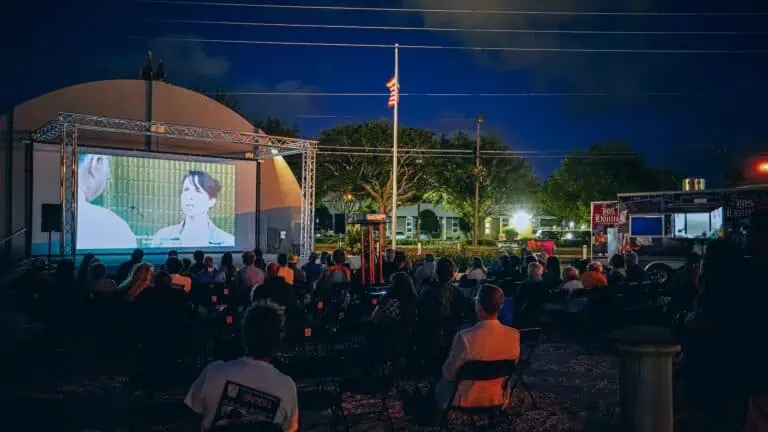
{"x":504,"y":182}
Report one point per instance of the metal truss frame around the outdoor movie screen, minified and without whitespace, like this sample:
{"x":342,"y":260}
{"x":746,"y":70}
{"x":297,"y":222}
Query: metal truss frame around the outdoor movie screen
{"x":64,"y":130}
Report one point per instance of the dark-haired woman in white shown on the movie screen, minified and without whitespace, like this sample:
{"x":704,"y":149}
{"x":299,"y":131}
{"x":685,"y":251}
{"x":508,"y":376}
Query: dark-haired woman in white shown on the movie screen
{"x":199,"y":192}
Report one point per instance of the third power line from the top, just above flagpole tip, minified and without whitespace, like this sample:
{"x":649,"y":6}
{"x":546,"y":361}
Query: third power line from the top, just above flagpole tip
{"x":462,"y":48}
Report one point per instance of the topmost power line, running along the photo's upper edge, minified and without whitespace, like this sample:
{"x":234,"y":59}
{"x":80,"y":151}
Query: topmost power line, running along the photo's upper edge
{"x":455,"y":11}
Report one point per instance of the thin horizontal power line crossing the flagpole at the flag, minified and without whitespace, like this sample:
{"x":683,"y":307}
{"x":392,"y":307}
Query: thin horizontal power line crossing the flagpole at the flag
{"x":519,"y":94}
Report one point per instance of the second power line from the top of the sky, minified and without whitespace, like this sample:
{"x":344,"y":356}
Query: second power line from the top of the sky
{"x":465,"y":30}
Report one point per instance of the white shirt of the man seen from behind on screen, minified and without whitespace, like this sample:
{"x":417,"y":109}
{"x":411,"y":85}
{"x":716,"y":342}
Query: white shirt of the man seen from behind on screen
{"x":100,"y":228}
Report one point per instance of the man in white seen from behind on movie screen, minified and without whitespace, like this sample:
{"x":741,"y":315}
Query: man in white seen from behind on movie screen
{"x":97,"y":227}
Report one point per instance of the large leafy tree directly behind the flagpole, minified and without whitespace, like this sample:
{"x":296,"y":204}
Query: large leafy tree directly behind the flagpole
{"x":371,"y":175}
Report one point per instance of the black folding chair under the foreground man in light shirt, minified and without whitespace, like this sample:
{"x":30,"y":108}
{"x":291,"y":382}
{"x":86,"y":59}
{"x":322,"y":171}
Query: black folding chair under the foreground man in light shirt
{"x":477,"y":370}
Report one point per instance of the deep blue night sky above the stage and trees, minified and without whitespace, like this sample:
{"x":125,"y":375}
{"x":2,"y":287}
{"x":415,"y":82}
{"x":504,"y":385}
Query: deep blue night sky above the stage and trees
{"x":716,"y":113}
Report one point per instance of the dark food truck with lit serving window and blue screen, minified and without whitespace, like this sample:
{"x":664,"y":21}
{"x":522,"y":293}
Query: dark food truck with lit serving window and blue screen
{"x":664,"y":227}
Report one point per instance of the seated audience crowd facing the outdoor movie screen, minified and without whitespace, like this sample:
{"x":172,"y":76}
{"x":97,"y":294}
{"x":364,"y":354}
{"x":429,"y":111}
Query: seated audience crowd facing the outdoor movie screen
{"x":456,"y":319}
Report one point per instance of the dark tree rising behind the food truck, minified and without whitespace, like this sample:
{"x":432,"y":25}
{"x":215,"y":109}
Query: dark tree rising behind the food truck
{"x":598,"y":174}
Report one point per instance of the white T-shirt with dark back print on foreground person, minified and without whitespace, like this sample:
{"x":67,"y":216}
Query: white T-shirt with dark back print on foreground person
{"x":221,"y":382}
